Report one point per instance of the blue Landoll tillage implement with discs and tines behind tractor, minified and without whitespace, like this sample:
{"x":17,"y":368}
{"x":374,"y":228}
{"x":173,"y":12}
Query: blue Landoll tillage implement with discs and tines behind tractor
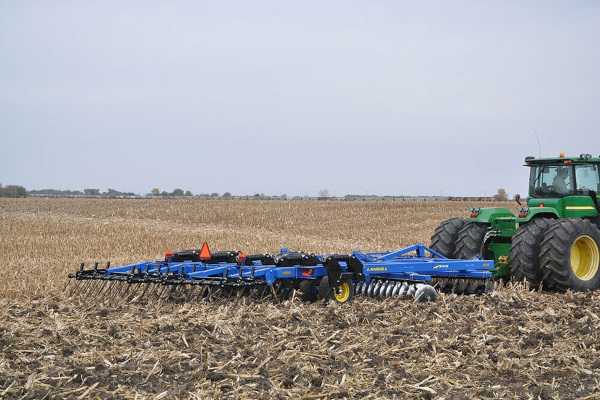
{"x":226,"y":277}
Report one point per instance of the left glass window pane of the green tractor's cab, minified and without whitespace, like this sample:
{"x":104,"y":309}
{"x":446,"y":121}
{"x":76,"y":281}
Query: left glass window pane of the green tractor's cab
{"x":548,"y":181}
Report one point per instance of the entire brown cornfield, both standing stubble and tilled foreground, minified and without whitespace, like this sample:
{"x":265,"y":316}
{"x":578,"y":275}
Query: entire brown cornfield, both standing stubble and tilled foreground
{"x":512,"y":344}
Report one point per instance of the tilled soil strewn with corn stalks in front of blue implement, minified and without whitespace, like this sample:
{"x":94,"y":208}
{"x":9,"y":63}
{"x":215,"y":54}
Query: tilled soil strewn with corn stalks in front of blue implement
{"x":511,"y":344}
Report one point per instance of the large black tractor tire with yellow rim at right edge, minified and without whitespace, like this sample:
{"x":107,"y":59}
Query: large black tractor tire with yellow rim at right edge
{"x":570,"y":256}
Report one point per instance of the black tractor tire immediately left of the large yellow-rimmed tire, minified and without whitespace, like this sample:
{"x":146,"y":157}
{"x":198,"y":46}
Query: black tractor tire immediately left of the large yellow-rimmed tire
{"x":525,"y":252}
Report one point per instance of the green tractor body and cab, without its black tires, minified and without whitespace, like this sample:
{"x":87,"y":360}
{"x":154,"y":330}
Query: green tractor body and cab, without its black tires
{"x":574,"y":196}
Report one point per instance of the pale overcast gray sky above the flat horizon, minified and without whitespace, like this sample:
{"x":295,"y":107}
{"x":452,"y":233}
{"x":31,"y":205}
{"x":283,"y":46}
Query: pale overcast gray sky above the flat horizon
{"x":361,"y":97}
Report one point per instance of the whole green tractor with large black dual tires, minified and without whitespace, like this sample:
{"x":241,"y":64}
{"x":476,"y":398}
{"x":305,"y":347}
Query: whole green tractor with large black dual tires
{"x":553,"y":242}
